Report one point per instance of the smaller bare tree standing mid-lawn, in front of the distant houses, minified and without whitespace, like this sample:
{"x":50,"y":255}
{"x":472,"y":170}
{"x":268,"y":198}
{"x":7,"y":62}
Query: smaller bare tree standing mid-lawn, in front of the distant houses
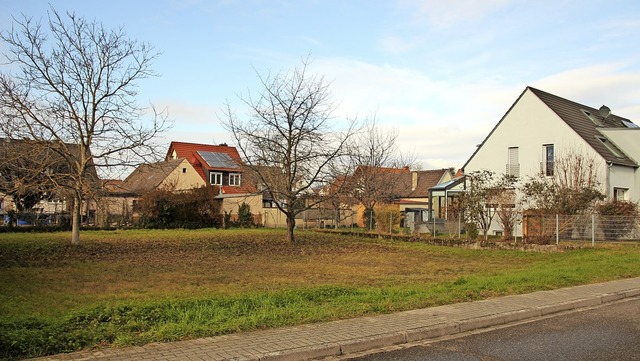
{"x":289,"y":141}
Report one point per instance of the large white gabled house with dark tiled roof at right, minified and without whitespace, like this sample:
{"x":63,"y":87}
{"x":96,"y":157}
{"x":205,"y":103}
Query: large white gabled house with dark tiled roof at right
{"x":540,"y":127}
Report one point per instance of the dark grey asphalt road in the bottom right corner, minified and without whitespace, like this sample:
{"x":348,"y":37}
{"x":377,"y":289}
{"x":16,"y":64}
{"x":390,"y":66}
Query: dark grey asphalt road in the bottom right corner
{"x":610,"y":332}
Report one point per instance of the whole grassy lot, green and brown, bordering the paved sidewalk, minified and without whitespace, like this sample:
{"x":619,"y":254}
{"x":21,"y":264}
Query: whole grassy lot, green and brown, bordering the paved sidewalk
{"x":138,"y":286}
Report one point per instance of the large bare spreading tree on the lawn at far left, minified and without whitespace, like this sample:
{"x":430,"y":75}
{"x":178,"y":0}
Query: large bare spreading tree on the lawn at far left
{"x":74,"y":90}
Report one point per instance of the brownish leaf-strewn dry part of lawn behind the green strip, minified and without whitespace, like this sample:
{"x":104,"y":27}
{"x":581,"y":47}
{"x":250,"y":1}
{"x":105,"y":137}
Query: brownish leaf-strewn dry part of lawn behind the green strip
{"x":145,"y":265}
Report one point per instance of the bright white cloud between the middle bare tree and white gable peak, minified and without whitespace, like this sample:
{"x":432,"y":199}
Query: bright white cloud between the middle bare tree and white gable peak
{"x":439,"y":122}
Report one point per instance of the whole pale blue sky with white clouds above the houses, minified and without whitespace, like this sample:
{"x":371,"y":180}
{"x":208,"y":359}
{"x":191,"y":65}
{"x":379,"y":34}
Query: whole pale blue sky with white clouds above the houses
{"x":440,"y":74}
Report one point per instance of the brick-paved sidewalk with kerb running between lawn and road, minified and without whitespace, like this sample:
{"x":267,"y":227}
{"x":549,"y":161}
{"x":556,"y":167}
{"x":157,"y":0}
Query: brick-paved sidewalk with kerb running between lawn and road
{"x":360,"y":334}
